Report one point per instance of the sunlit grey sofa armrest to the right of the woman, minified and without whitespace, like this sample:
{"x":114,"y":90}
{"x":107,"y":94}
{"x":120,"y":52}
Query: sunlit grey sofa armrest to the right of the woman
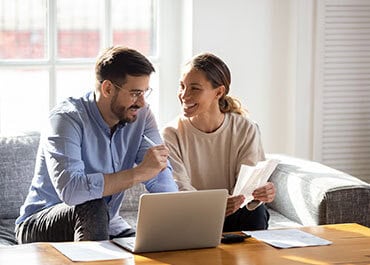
{"x":311,"y":193}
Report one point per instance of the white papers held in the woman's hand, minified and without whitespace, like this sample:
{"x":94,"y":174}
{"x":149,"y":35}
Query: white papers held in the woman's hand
{"x":253,"y":177}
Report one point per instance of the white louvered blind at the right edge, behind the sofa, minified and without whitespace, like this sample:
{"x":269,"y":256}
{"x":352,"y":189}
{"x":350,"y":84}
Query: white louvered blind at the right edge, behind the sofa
{"x":342,"y":88}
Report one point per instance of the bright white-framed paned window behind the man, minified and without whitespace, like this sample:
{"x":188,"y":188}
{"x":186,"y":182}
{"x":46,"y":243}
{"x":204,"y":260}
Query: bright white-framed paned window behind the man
{"x":48,"y":50}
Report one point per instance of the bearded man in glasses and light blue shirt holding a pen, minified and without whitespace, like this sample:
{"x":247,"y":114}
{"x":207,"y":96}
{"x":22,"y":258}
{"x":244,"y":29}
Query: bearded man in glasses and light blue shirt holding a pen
{"x":87,"y":156}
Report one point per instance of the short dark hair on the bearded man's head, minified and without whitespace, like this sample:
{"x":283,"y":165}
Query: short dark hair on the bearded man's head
{"x":116,"y":62}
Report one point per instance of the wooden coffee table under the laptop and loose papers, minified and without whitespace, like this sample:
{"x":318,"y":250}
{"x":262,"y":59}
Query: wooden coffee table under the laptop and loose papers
{"x":351,"y":245}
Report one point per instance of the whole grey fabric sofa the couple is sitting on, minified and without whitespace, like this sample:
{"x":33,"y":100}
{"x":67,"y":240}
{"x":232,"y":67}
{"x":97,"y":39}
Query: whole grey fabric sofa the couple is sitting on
{"x":308,"y":193}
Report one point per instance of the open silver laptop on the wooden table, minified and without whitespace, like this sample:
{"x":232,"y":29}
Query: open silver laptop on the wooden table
{"x":178,"y":220}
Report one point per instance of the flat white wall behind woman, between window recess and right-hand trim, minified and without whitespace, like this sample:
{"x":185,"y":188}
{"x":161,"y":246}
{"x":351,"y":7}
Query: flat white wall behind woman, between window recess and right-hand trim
{"x":254,"y":39}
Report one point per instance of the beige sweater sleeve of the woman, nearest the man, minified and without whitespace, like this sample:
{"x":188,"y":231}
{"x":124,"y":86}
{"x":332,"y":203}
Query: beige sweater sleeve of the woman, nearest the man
{"x":180,"y":173}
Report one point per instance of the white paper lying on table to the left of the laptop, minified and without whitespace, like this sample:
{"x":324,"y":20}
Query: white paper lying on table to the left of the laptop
{"x":92,"y":251}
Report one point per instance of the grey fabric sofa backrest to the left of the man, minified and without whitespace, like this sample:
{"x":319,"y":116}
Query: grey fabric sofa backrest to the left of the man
{"x":17,"y":163}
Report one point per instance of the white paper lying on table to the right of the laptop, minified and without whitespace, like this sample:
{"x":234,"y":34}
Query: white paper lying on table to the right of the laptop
{"x":288,"y":238}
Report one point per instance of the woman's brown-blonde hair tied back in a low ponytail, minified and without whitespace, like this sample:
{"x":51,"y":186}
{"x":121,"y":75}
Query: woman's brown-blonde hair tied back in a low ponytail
{"x":218,"y":74}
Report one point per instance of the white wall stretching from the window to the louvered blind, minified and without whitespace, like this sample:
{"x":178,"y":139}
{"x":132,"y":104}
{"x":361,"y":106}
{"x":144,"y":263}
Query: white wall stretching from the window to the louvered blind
{"x":260,"y":40}
